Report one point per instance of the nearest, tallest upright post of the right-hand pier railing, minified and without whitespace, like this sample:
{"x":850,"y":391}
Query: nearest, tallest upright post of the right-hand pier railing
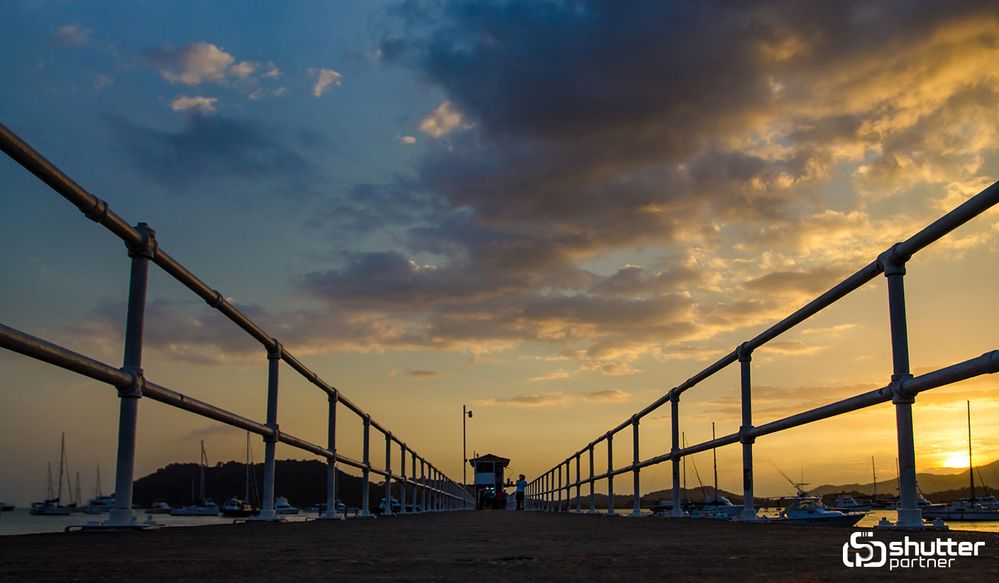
{"x":909,"y":514}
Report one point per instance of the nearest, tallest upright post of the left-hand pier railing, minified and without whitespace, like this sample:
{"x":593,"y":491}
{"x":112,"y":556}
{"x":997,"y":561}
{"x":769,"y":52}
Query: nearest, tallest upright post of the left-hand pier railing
{"x":128,"y":411}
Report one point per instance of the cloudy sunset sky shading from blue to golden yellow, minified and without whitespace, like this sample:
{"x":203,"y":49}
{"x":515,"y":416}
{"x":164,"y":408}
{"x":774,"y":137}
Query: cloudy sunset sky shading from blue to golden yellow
{"x":551,"y":212}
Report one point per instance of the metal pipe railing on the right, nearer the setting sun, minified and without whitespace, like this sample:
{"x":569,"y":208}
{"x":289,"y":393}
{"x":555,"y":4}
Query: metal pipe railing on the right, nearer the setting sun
{"x":546,"y":492}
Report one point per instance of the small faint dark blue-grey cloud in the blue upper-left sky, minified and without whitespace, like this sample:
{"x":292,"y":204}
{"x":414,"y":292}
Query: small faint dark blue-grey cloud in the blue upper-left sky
{"x":215,"y":149}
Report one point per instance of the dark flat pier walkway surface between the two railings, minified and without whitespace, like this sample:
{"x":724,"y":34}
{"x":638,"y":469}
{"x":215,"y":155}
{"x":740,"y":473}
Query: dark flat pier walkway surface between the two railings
{"x":484,"y":546}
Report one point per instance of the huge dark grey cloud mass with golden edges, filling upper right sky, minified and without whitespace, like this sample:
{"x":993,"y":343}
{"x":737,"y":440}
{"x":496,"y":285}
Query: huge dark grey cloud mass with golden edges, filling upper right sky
{"x":589,"y":127}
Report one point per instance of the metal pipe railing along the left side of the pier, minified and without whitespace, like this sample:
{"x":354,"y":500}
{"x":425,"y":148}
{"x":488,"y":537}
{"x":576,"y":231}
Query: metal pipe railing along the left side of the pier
{"x":430,"y":489}
